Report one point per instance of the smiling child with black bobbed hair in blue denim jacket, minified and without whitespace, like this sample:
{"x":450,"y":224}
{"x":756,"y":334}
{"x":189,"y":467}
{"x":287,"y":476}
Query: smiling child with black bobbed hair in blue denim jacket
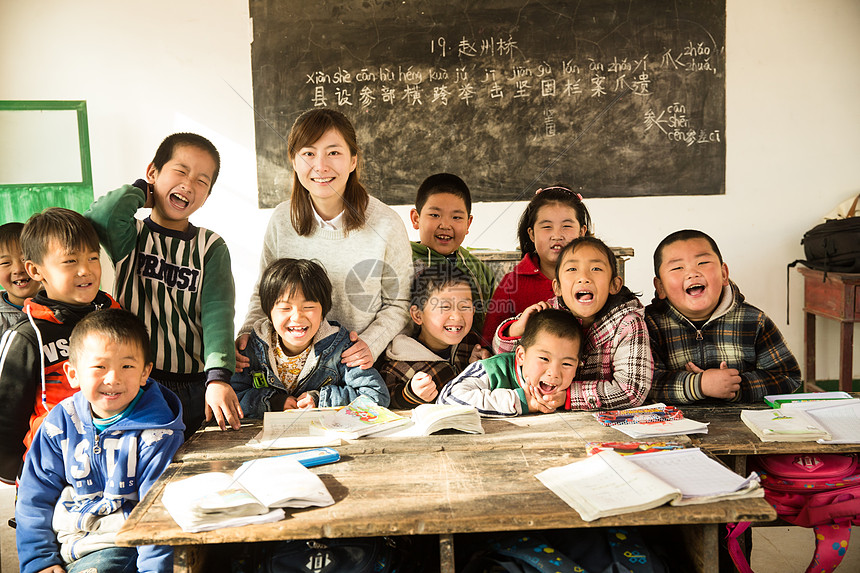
{"x":295,"y":353}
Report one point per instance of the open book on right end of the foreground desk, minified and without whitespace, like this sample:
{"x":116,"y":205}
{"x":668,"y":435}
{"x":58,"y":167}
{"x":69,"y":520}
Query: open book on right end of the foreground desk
{"x":611,"y":484}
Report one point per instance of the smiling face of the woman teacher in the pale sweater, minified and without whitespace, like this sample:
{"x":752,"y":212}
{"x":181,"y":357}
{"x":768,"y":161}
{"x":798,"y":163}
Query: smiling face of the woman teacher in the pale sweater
{"x":323,"y":168}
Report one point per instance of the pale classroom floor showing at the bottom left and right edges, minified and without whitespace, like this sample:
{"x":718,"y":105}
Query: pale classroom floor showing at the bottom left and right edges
{"x":775,"y":549}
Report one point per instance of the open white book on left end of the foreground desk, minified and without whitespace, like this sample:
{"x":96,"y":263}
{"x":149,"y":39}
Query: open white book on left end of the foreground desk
{"x":213,"y":500}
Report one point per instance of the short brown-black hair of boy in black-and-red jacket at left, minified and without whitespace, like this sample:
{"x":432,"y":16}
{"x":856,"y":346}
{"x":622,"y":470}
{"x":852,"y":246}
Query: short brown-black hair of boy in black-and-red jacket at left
{"x":68,"y":228}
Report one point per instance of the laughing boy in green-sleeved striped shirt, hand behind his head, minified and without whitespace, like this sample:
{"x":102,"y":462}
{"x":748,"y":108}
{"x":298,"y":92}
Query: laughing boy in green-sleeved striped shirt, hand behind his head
{"x":176,"y":277}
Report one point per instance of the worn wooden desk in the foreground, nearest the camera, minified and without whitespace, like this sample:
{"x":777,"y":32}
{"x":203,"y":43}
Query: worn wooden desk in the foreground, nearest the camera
{"x":430,"y":492}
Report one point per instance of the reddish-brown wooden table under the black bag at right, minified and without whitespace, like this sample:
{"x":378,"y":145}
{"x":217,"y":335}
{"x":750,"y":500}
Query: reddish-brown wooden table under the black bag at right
{"x":835,"y":296}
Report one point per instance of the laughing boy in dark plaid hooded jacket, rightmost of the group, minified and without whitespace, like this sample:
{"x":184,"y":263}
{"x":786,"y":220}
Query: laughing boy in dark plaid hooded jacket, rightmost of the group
{"x":707,"y":342}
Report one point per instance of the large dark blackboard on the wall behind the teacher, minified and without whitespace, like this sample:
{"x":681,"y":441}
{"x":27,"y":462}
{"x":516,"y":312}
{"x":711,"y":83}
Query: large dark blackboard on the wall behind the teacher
{"x":615,"y":98}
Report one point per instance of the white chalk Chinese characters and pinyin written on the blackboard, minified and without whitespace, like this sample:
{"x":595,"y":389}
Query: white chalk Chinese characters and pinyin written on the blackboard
{"x":469,"y":81}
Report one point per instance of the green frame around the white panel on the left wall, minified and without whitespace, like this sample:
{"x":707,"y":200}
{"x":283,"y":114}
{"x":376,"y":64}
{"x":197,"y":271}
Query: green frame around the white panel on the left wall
{"x":20,"y":200}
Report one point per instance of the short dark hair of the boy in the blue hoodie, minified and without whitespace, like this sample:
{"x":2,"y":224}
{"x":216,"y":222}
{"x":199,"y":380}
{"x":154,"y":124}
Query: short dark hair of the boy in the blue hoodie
{"x":115,"y":324}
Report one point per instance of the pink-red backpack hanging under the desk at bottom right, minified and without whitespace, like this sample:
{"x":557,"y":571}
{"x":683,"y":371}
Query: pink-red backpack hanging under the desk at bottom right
{"x":821,"y":491}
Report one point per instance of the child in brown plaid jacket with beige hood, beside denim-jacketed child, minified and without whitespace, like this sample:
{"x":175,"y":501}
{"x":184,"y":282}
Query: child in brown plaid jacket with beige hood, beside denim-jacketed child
{"x":438,"y":345}
